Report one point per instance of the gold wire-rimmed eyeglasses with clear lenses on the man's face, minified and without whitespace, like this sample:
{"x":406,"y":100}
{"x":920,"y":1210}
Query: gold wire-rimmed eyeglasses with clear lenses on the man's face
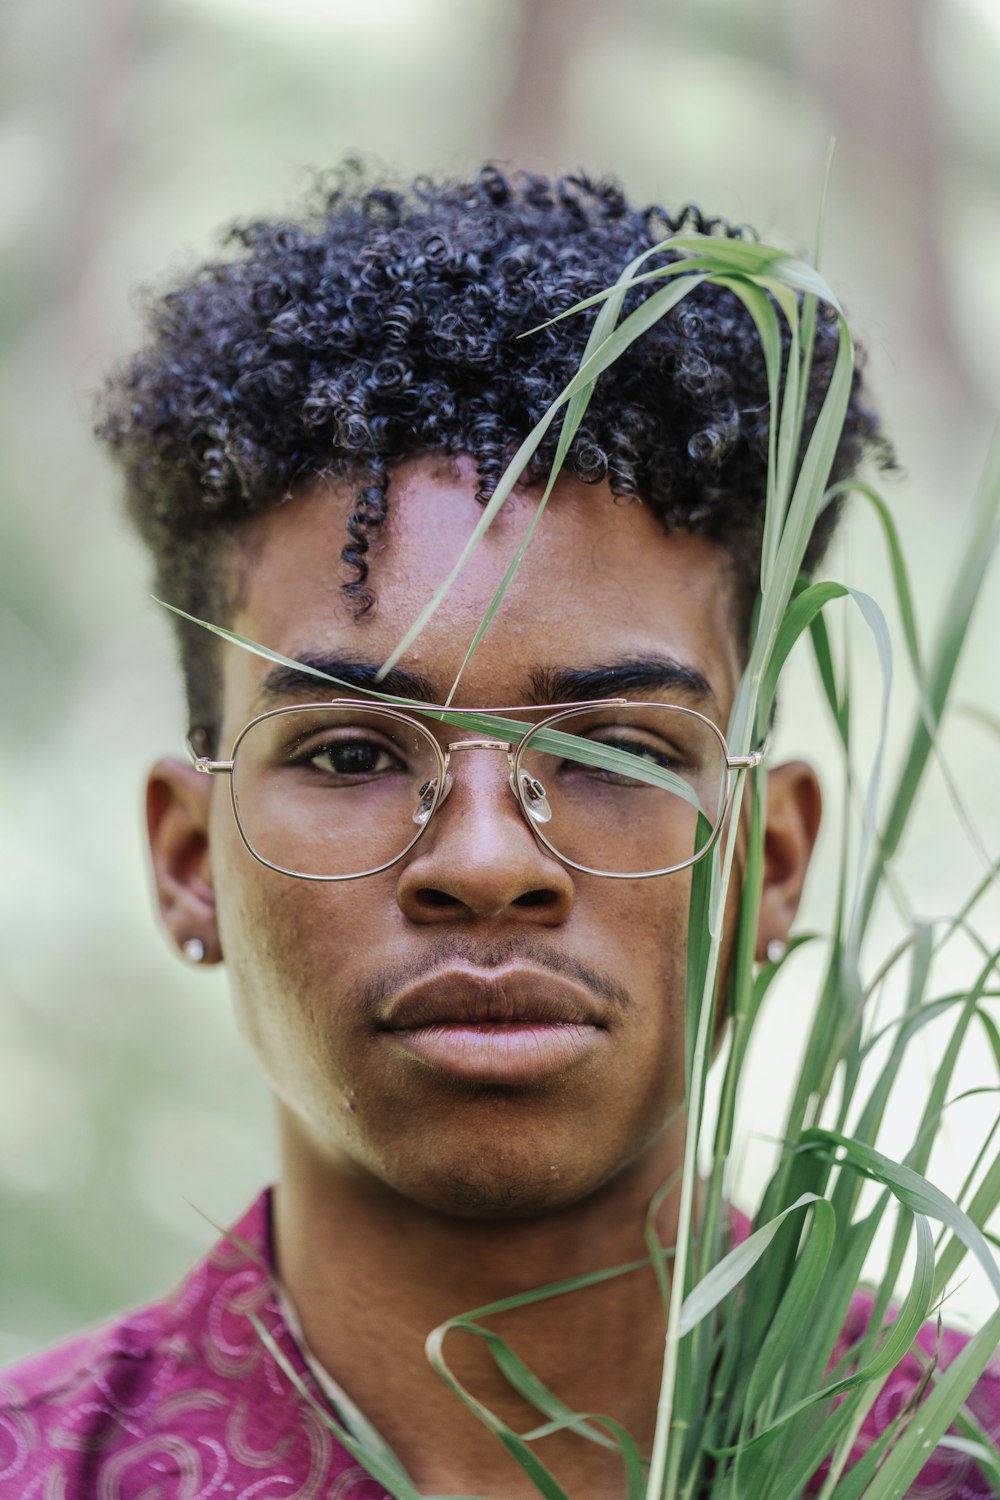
{"x":344,"y":790}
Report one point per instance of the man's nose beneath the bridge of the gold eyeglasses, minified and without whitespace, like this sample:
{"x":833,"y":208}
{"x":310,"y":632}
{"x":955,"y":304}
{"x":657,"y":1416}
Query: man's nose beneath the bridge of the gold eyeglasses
{"x":479,"y":857}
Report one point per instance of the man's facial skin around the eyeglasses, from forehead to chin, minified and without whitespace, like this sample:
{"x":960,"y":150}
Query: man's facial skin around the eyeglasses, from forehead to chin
{"x":478,"y":916}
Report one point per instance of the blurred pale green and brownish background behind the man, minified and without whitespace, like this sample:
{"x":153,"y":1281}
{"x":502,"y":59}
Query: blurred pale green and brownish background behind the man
{"x":130,"y":134}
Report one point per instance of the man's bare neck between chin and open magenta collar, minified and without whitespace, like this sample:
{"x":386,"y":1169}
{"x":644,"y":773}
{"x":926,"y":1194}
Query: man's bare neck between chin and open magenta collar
{"x":373,"y":1274}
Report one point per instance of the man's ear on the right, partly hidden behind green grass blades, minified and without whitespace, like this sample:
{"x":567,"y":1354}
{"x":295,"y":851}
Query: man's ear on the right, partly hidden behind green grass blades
{"x":792,"y":823}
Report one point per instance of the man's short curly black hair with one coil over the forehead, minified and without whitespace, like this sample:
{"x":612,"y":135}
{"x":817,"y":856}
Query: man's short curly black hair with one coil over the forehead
{"x":386,"y":323}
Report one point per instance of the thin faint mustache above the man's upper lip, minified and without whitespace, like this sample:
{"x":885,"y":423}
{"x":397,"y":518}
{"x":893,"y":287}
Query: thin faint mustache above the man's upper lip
{"x":461,"y":953}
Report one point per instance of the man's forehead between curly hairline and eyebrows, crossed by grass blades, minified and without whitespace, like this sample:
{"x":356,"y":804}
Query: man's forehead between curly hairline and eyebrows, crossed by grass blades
{"x":600,"y":583}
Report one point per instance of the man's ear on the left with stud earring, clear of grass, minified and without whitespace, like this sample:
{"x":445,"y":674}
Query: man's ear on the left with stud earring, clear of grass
{"x":178,"y":802}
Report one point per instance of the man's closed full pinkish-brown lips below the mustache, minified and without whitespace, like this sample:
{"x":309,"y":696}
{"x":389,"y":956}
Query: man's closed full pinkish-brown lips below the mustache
{"x":510,"y":1027}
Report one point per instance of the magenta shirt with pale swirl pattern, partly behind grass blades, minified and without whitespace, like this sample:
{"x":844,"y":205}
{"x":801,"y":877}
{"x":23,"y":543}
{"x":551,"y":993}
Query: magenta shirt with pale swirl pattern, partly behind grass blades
{"x":182,"y":1402}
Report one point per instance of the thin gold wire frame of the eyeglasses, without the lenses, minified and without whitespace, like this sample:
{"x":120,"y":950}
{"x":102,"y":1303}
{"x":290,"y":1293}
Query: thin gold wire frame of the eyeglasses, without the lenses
{"x":519,"y":784}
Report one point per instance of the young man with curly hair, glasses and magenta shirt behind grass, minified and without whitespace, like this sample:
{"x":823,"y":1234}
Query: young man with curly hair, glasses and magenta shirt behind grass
{"x":475,"y":1034}
